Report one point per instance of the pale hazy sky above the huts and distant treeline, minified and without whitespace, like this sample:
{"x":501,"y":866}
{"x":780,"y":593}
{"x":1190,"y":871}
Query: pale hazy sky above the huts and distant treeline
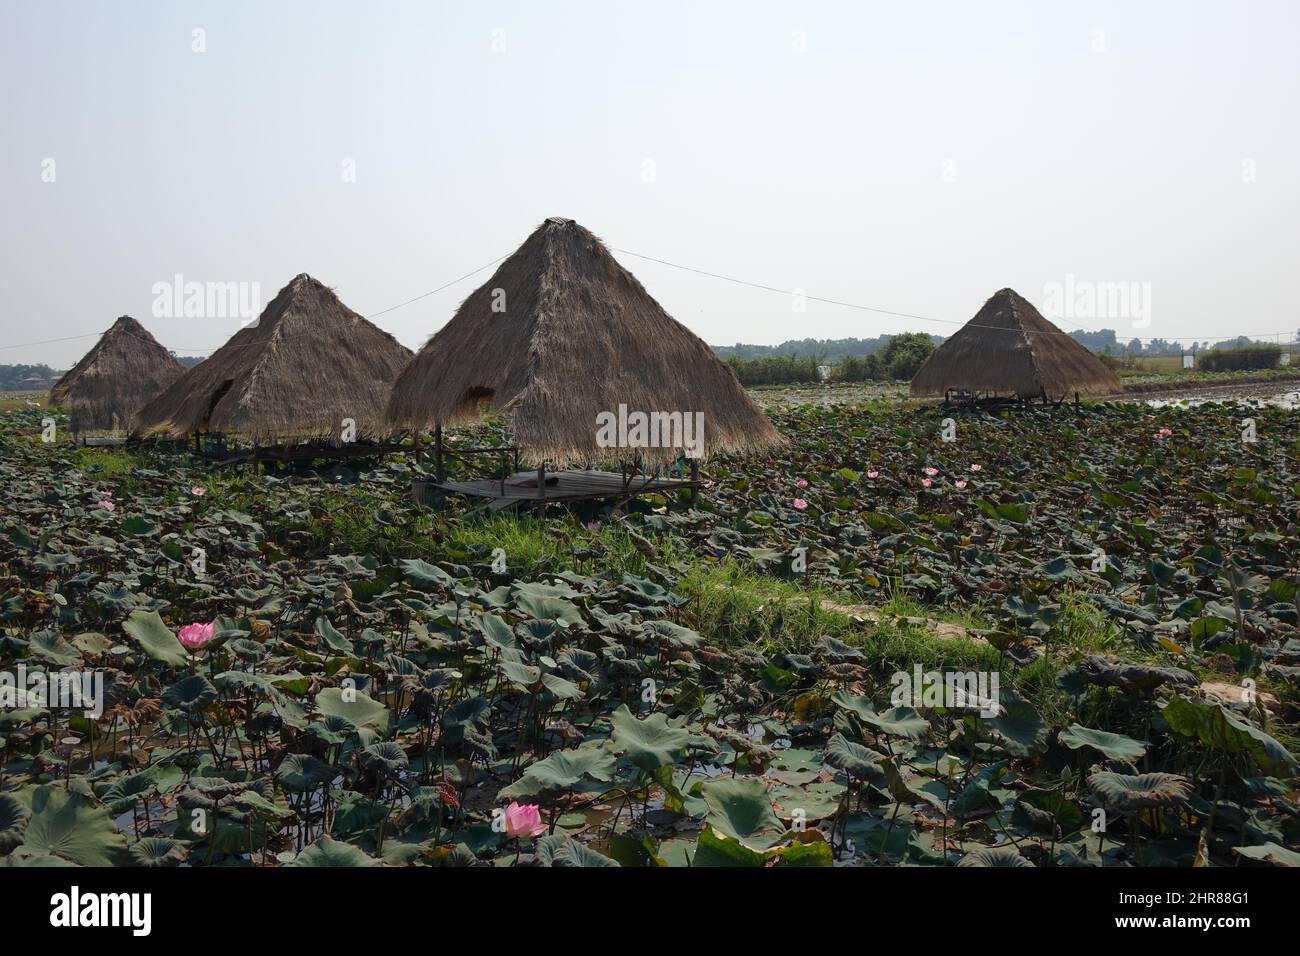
{"x":908,"y":157}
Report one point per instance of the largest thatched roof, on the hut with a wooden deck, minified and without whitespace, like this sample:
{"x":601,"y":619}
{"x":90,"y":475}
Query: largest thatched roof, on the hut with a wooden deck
{"x":579,"y":336}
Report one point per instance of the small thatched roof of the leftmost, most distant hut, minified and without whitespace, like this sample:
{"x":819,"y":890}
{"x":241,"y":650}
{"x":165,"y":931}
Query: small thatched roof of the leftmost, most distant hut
{"x":115,"y":379}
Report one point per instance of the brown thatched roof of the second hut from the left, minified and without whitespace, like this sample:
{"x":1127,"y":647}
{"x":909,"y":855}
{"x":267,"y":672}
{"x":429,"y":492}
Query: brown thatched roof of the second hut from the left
{"x":307,"y":365}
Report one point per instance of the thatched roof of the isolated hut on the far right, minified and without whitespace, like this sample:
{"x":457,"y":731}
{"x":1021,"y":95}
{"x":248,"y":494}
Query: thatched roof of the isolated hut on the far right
{"x":1009,"y":348}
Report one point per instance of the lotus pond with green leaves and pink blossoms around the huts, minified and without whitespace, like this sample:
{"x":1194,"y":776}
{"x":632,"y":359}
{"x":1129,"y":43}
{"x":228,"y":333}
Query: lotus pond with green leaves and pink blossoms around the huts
{"x":310,"y":671}
